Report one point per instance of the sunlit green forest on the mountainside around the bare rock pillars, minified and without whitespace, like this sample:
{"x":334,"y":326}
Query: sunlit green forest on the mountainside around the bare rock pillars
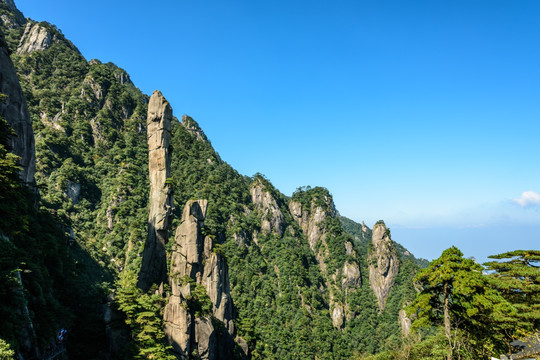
{"x":91,"y":152}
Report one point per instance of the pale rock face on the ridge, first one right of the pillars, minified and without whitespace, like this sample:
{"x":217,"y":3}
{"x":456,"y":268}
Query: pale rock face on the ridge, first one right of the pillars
{"x":272,"y":220}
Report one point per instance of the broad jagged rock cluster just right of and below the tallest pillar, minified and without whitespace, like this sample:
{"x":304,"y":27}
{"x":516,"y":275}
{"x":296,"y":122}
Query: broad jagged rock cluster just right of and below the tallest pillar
{"x":195,"y":264}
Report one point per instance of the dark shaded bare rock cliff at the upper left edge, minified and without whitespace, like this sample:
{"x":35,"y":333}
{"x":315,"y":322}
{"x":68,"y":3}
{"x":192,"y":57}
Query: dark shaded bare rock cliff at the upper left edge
{"x":13,"y":108}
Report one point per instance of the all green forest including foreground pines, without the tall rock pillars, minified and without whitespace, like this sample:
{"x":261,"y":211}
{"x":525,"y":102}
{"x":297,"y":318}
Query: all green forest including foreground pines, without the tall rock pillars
{"x":300,"y":276}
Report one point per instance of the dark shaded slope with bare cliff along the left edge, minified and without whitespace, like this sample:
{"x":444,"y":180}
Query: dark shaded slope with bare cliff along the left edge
{"x":42,"y":287}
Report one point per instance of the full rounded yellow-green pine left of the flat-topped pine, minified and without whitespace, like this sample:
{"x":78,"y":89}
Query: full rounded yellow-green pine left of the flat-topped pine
{"x":456,"y":295}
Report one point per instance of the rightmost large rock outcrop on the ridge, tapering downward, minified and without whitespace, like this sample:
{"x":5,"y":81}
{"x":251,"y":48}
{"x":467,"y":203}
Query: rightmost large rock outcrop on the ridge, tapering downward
{"x":383,"y":263}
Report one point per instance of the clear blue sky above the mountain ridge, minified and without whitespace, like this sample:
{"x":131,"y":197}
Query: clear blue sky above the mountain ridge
{"x":423,"y":113}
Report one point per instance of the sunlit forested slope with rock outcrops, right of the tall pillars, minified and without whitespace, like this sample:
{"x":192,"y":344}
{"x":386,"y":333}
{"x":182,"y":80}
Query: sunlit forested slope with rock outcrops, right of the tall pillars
{"x":285,"y":255}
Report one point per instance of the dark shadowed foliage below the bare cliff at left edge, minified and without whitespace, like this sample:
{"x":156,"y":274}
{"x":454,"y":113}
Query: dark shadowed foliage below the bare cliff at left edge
{"x":39,"y":268}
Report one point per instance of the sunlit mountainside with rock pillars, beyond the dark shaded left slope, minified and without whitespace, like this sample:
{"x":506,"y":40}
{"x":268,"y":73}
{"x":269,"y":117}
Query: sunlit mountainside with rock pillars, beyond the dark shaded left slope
{"x":279,"y":275}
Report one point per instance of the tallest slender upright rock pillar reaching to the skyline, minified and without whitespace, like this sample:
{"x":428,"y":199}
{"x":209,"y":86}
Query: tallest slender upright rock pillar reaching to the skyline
{"x":154,"y":262}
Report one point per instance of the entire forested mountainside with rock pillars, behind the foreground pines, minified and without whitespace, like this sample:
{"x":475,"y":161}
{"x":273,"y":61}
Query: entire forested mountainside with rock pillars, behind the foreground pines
{"x":142,"y":242}
